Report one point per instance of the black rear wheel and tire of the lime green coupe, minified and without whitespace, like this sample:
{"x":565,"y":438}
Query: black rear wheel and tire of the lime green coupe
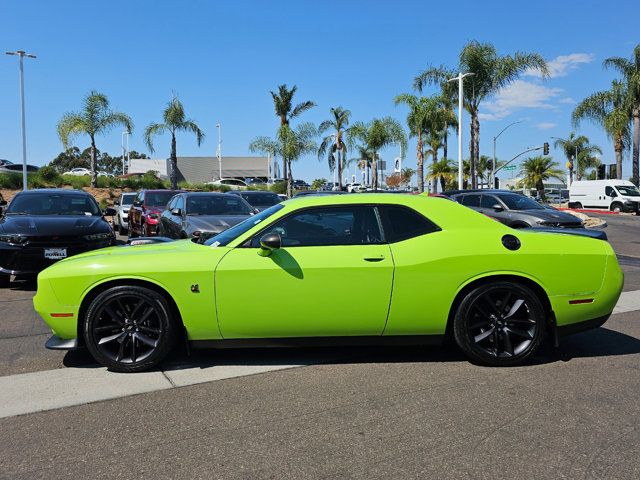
{"x":487,"y":330}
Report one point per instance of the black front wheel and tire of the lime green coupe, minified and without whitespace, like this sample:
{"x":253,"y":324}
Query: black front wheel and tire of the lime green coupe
{"x":129,"y":328}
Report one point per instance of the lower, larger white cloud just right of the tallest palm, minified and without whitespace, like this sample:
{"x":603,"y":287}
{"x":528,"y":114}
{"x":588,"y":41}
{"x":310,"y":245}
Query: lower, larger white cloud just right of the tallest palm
{"x":520,"y":94}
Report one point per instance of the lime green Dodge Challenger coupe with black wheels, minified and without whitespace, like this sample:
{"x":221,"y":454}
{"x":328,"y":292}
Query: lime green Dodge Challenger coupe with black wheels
{"x":344,"y":269}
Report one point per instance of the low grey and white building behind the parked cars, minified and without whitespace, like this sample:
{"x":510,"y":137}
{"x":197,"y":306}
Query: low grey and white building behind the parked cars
{"x":207,"y":169}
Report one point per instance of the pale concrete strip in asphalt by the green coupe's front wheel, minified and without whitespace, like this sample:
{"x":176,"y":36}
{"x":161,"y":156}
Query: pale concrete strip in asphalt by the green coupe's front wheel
{"x":66,"y":387}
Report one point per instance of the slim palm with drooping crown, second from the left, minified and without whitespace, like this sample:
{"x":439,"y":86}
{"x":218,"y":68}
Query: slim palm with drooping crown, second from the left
{"x":174,"y":121}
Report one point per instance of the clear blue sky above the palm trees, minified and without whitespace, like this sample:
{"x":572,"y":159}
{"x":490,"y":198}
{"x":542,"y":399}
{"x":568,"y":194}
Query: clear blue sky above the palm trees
{"x":222,"y":58}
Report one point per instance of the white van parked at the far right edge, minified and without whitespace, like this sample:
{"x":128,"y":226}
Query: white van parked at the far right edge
{"x":614,"y":195}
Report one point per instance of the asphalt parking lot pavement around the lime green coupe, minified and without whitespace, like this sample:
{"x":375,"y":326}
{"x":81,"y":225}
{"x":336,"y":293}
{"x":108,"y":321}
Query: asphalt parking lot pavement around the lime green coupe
{"x":330,"y":413}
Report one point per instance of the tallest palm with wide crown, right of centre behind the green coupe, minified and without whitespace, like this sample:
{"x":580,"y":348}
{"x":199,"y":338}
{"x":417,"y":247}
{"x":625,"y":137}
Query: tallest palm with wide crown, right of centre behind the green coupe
{"x":491,"y":73}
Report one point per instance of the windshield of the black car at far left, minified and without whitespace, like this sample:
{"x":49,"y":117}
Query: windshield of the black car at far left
{"x":53,"y":204}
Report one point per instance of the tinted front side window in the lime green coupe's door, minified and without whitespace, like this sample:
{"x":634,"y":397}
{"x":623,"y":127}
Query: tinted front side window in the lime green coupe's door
{"x":353,"y":225}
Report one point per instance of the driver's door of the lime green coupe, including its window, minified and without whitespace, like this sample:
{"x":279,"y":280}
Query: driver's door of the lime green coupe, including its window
{"x":332,"y":277}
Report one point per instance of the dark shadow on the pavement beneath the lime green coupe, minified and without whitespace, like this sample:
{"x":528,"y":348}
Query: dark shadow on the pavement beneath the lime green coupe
{"x":601,"y":342}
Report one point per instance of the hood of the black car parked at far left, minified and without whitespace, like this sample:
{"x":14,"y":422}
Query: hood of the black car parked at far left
{"x":62,"y":225}
